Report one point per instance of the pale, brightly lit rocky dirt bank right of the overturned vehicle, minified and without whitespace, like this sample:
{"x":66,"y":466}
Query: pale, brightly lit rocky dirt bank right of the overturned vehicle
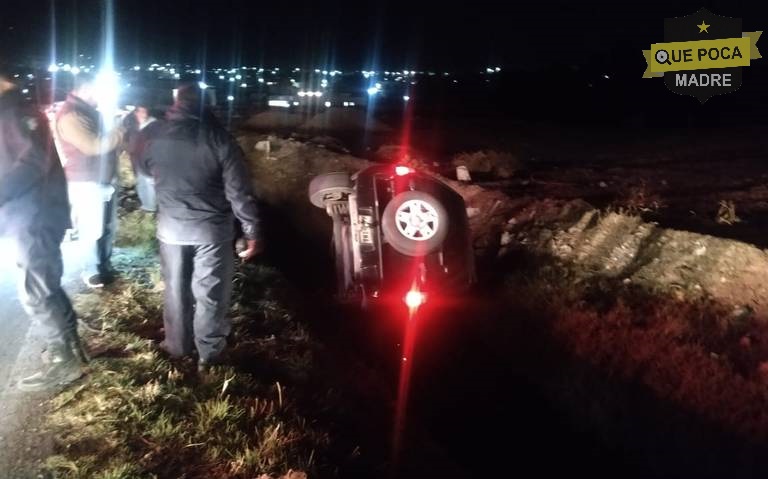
{"x":622,"y":246}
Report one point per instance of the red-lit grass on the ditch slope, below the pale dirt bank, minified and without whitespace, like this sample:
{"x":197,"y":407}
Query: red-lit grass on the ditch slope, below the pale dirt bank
{"x":703,"y":357}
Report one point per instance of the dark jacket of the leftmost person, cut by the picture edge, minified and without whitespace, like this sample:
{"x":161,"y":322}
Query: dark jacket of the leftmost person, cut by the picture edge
{"x":33,"y":189}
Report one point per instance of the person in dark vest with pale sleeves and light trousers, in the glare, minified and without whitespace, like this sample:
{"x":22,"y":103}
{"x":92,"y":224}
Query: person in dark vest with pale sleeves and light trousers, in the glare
{"x":88,"y":151}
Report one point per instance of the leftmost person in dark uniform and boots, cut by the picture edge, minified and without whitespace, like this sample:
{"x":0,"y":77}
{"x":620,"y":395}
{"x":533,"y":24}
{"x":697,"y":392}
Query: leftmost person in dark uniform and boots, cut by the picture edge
{"x":34,"y":212}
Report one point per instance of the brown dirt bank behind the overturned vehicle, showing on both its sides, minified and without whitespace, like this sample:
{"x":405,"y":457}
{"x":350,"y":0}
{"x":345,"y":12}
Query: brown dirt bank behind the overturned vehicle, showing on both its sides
{"x":573,"y":233}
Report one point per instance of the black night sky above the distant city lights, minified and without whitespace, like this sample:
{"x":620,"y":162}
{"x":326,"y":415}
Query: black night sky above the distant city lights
{"x":344,"y":34}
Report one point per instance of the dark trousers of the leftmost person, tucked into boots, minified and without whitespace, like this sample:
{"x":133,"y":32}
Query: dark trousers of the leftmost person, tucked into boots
{"x":38,"y":256}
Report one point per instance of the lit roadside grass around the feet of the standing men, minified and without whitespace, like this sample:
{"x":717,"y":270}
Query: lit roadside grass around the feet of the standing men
{"x":140,"y":415}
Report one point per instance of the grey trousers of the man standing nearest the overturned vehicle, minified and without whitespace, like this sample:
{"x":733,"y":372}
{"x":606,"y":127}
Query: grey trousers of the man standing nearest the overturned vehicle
{"x":198,"y":287}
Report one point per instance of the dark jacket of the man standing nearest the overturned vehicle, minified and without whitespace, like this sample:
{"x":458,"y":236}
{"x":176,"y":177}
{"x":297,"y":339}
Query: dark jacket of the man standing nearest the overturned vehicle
{"x":200,"y":180}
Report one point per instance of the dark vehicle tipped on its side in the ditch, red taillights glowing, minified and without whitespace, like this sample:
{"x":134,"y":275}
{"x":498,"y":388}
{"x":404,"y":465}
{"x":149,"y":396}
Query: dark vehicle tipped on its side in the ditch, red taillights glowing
{"x":398,"y":234}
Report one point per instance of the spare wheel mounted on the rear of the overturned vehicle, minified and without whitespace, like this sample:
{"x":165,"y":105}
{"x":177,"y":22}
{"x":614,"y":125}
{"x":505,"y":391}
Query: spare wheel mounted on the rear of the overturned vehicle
{"x":415,"y":239}
